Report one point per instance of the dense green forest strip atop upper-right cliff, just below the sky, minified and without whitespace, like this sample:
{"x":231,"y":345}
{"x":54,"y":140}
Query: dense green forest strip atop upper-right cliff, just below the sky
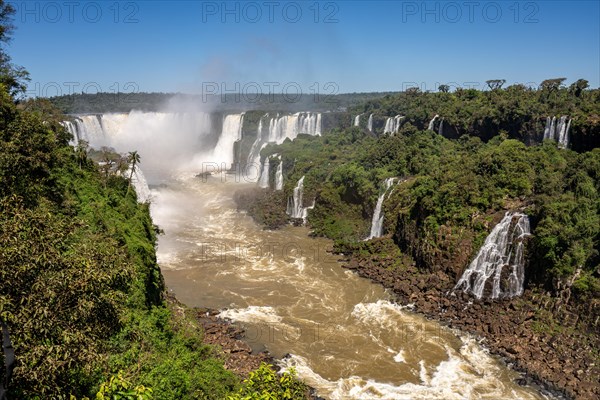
{"x":519,"y":112}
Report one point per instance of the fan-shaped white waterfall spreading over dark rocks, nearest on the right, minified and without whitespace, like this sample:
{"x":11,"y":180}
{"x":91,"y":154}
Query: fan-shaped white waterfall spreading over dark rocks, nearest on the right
{"x":504,"y":247}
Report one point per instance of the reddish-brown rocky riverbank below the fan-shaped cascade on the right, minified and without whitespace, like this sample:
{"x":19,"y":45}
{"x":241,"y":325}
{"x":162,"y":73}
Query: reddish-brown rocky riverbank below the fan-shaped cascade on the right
{"x":536,"y":334}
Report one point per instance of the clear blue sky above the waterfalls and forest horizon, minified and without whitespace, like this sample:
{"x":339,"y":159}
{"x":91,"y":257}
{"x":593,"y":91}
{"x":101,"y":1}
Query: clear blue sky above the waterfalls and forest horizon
{"x":195,"y":47}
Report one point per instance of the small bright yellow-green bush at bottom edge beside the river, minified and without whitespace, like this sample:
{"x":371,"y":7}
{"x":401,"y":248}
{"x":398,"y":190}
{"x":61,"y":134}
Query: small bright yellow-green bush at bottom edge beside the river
{"x":265,"y":384}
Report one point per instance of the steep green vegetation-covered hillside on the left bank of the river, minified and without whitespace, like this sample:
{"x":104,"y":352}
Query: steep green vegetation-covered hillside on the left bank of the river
{"x":79,"y":285}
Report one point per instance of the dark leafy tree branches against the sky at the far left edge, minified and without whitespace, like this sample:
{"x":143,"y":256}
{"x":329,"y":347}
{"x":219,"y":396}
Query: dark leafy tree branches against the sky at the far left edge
{"x":13,"y":77}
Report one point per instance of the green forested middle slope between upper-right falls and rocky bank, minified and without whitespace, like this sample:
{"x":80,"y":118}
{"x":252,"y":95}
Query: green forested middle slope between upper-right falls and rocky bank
{"x":449,"y":191}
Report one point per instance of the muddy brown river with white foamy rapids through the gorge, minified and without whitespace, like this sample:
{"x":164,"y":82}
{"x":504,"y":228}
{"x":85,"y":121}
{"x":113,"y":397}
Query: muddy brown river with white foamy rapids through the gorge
{"x":344,"y":335}
